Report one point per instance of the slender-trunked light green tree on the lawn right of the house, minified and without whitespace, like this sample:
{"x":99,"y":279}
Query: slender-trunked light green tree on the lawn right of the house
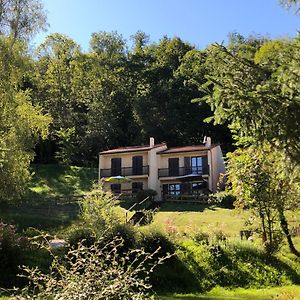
{"x":260,"y":179}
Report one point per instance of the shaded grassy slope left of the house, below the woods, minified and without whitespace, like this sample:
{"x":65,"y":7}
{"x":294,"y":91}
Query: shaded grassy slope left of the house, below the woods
{"x":48,"y":183}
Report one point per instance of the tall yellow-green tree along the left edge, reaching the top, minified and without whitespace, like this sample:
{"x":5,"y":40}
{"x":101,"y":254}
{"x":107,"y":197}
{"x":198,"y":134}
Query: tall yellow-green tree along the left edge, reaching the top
{"x":21,"y":123}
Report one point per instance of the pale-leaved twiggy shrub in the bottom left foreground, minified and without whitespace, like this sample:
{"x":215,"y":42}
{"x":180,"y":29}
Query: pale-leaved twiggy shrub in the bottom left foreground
{"x":94,"y":272}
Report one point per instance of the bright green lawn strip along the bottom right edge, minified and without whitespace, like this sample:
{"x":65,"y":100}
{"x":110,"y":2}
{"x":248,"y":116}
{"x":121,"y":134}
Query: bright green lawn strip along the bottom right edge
{"x":278,"y":293}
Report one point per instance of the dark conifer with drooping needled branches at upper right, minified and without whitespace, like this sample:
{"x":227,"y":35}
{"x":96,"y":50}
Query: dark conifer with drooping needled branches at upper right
{"x":254,"y":88}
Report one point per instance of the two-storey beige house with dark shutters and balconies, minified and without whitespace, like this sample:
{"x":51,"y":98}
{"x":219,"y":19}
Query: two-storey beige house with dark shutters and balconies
{"x":180,"y":173}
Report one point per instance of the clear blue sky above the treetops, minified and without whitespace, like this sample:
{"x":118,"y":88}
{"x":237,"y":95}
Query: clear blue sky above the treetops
{"x":199,"y":22}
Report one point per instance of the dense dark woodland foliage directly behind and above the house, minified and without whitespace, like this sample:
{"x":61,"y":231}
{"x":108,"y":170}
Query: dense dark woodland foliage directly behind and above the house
{"x":106,"y":95}
